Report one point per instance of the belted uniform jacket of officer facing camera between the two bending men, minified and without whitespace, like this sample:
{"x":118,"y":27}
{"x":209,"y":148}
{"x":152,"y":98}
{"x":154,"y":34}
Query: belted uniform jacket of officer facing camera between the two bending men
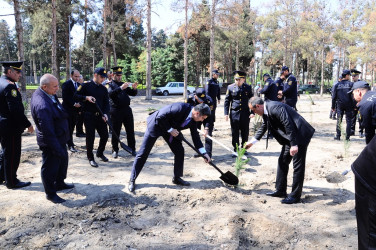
{"x":236,"y":101}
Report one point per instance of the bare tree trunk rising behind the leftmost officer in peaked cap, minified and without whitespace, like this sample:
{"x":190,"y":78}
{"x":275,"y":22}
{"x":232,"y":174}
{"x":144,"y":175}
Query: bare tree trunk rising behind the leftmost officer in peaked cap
{"x":20,"y":44}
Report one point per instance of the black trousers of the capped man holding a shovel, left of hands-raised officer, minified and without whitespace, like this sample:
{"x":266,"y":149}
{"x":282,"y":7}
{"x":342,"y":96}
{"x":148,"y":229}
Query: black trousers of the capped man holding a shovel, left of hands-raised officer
{"x":95,"y":122}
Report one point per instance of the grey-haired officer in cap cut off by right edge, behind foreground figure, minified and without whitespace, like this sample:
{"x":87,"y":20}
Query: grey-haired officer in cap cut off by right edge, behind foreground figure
{"x":366,"y":100}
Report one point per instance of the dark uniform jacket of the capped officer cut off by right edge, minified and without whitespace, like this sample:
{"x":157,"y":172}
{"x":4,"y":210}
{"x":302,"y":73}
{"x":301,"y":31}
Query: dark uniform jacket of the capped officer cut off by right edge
{"x":367,"y":111}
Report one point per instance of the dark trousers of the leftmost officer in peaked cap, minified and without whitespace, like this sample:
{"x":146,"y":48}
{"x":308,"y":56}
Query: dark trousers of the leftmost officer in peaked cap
{"x":10,"y":159}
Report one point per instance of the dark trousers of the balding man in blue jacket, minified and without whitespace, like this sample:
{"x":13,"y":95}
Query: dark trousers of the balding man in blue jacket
{"x":54,"y":170}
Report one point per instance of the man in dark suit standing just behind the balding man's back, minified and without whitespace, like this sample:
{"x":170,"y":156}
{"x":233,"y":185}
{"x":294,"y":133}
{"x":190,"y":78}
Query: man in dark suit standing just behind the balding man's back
{"x":70,"y":105}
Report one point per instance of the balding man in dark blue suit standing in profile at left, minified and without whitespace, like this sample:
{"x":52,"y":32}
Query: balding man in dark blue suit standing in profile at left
{"x":52,"y":129}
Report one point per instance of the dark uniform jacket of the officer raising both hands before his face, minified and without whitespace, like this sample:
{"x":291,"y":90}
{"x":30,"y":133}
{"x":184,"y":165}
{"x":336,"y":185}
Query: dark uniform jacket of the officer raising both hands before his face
{"x":120,"y":98}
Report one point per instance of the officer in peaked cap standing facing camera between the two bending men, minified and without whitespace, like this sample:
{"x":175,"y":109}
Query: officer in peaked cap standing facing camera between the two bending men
{"x":236,"y":106}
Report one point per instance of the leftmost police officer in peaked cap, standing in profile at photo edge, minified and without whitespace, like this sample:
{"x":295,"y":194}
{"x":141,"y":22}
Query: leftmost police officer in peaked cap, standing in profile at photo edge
{"x":12,"y":123}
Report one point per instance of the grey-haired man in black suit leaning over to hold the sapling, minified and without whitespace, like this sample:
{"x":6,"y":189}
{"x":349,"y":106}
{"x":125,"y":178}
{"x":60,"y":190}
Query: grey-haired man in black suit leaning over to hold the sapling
{"x":294,"y":134}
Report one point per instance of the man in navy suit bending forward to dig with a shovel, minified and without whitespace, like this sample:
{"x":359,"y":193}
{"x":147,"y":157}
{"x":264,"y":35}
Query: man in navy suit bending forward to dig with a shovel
{"x":168,"y":122}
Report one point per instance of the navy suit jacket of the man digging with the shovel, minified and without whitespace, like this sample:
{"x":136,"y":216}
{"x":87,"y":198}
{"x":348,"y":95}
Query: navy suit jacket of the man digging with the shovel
{"x":173,"y":116}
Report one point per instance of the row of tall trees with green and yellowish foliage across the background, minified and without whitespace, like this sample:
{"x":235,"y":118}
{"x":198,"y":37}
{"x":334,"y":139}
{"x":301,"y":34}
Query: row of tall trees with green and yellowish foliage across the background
{"x":306,"y":35}
